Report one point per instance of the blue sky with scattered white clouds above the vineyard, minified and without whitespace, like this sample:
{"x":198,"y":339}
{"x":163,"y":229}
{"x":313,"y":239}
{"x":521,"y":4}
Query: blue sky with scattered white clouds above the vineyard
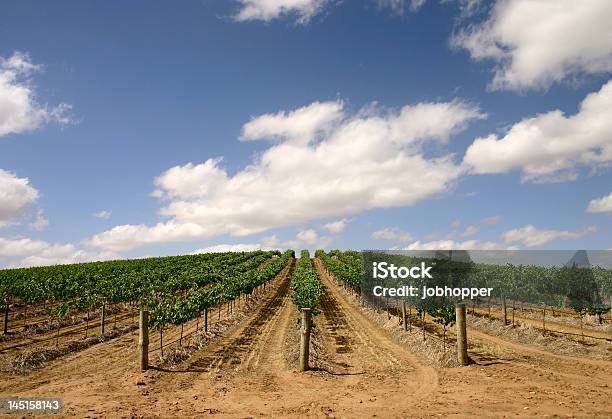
{"x":117,"y":94}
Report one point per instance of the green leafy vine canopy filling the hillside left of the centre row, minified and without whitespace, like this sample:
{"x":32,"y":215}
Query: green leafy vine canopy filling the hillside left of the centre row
{"x":175,"y":288}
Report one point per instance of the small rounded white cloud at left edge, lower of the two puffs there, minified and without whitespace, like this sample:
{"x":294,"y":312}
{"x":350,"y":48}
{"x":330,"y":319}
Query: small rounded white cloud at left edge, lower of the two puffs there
{"x":16,"y":195}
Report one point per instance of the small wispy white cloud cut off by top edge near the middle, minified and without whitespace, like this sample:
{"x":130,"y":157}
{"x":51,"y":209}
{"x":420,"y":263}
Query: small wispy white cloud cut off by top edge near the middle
{"x":268,"y":10}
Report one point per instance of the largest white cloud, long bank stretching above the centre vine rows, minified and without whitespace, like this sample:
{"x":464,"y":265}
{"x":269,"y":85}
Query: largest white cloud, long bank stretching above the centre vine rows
{"x":373,"y":159}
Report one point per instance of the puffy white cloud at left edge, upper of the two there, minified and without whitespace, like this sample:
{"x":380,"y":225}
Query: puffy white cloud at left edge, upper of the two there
{"x":19,"y":109}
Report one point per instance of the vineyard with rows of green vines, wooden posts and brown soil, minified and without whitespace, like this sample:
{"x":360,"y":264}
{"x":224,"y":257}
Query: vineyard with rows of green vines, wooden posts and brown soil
{"x":264,"y":333}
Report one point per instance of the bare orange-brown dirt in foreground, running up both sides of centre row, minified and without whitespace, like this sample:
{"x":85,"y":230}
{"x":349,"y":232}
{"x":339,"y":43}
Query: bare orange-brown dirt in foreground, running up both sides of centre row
{"x":361,"y":371}
